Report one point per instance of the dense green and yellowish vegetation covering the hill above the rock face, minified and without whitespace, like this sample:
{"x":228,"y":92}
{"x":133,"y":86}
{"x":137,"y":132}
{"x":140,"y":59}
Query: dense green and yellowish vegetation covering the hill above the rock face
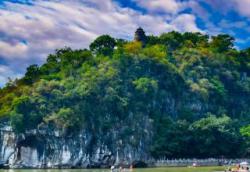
{"x":194,"y":90}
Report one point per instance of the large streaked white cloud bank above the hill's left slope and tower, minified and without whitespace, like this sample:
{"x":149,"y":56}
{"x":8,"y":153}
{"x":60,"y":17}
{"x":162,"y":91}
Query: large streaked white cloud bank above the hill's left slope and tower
{"x":30,"y":32}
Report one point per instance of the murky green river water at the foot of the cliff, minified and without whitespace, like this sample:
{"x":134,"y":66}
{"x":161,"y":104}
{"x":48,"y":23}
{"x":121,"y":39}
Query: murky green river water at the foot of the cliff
{"x":179,"y":169}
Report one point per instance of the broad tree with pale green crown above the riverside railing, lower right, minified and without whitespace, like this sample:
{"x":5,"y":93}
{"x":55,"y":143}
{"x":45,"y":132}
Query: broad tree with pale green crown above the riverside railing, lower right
{"x":218,"y":135}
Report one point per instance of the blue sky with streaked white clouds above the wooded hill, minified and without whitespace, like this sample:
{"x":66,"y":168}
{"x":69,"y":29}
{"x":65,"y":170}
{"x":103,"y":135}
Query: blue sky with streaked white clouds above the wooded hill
{"x":32,"y":29}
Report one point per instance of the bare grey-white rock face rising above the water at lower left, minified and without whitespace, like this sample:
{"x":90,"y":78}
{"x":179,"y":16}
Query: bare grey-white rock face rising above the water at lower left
{"x":48,"y":148}
